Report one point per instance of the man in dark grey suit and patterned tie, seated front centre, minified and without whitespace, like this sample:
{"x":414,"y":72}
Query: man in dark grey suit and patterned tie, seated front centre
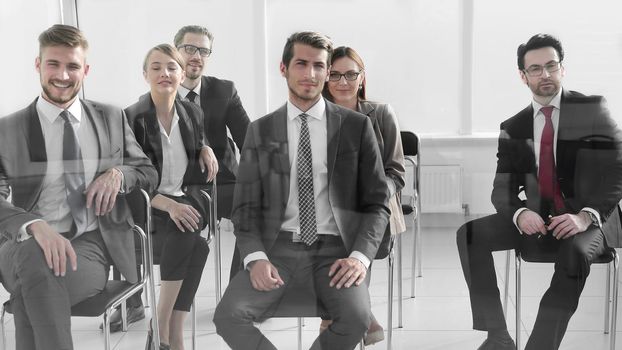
{"x":310,"y":205}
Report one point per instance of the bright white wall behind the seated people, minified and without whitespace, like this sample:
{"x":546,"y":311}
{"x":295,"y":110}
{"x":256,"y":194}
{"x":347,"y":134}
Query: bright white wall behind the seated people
{"x":413,"y":51}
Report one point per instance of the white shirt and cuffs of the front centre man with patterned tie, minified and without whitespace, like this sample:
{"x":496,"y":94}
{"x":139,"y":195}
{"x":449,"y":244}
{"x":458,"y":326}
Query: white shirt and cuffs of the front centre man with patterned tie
{"x":325,"y":220}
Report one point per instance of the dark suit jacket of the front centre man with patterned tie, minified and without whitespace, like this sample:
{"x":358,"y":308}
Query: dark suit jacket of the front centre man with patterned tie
{"x":358,"y":193}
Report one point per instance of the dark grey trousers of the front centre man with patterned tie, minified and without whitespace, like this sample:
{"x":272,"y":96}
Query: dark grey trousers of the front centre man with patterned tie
{"x":302,"y":268}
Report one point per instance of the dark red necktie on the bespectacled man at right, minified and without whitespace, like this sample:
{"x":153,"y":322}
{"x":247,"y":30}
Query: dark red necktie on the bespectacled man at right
{"x":547,"y":177}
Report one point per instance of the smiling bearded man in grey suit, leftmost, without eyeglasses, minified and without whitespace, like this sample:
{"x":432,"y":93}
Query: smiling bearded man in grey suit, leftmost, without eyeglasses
{"x":64,"y":161}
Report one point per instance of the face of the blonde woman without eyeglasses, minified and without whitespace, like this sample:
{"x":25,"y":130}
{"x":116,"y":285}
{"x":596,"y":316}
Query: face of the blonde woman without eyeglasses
{"x":163,"y":73}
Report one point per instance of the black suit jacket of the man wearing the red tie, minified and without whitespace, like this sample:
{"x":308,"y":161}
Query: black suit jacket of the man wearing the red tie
{"x":588,"y":163}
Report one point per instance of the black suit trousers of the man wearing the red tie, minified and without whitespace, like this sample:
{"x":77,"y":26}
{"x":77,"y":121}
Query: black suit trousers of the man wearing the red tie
{"x":477,"y":240}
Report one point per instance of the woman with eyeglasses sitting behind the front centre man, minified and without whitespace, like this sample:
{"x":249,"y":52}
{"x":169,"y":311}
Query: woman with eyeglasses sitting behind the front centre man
{"x":346,"y":87}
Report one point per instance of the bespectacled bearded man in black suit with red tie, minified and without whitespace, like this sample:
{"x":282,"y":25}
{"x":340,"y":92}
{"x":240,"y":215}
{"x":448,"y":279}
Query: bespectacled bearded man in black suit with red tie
{"x":556,"y":188}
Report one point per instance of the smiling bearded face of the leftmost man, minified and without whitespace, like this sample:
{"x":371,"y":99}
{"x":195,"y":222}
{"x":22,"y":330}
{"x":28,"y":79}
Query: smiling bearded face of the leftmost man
{"x":61,"y":71}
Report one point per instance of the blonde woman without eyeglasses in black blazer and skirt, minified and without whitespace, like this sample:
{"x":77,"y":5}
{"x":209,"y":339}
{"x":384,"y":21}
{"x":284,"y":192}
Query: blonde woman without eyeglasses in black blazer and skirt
{"x":170,"y":131}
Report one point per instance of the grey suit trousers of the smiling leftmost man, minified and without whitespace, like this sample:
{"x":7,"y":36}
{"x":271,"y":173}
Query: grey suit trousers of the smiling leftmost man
{"x":41,"y":301}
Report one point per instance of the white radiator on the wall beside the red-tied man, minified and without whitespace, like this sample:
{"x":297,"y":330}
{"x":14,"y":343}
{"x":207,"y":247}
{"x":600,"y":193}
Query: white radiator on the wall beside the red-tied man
{"x":441,"y":189}
